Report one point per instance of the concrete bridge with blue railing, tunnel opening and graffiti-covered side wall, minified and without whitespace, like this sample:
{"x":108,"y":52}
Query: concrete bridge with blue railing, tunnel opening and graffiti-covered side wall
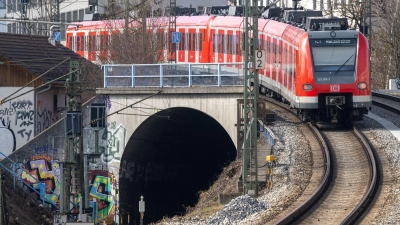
{"x":167,"y":138}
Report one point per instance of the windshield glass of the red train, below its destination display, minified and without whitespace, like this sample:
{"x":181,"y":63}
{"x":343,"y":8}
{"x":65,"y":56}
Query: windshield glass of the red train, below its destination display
{"x":333,"y":58}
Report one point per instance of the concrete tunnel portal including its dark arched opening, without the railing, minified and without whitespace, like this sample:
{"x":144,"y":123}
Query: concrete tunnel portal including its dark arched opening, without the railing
{"x":176,"y":142}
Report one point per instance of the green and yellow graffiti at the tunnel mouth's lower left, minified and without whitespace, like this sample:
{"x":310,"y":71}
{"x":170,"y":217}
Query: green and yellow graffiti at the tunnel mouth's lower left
{"x":102,"y":188}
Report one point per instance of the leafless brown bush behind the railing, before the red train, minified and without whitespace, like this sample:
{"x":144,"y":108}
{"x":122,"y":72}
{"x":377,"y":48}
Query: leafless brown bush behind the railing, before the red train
{"x":140,"y":37}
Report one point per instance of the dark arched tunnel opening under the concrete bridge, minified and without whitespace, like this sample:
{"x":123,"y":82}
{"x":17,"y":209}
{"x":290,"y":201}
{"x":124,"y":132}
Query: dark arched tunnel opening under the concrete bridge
{"x":168,"y":160}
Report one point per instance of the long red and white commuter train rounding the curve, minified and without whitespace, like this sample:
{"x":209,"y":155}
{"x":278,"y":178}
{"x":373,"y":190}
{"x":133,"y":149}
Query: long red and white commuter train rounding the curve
{"x":324,"y":73}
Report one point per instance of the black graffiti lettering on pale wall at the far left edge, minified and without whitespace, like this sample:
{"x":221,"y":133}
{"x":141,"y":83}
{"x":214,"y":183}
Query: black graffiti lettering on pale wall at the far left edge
{"x":17,"y":123}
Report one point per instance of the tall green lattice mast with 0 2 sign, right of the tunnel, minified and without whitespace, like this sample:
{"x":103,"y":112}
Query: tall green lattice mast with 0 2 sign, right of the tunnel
{"x":250,"y":36}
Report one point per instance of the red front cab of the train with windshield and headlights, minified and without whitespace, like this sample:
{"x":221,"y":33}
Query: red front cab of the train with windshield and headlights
{"x":335,"y":82}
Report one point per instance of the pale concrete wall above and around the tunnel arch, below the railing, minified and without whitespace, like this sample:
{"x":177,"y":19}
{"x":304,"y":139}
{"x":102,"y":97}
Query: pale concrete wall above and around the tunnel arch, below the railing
{"x":217,"y":102}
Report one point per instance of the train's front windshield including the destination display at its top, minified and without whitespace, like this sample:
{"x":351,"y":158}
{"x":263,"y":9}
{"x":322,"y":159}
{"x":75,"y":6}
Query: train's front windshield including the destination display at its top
{"x":334,"y":55}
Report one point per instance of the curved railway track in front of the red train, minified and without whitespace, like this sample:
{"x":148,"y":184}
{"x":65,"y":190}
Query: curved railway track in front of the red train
{"x":348,"y":184}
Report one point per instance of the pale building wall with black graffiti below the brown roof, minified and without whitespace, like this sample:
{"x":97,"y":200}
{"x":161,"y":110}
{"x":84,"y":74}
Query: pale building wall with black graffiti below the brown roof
{"x":24,"y":117}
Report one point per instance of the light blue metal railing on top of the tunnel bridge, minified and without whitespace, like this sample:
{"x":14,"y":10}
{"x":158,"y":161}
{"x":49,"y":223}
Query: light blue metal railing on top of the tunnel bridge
{"x":173,"y":75}
